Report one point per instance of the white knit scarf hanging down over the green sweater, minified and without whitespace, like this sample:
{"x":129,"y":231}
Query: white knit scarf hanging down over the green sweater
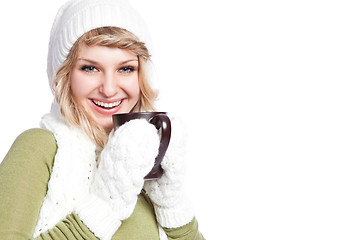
{"x":72,"y":173}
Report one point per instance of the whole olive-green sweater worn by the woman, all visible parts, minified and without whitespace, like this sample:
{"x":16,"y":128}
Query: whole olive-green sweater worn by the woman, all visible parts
{"x":24,"y":175}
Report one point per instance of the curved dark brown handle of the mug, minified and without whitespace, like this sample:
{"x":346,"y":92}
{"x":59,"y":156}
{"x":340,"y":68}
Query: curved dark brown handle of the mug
{"x":160,"y":121}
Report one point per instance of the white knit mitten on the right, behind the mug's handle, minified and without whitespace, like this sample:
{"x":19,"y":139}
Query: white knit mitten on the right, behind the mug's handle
{"x":171,"y":205}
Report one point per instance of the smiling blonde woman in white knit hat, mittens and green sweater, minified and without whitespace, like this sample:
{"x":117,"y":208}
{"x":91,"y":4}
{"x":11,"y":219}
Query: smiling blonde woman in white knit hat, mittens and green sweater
{"x":76,"y":178}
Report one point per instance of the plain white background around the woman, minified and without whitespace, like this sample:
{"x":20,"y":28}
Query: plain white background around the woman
{"x":269,"y":91}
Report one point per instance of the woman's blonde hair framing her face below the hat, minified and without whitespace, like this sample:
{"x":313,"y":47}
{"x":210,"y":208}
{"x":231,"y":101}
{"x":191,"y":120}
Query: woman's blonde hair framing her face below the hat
{"x":110,"y":37}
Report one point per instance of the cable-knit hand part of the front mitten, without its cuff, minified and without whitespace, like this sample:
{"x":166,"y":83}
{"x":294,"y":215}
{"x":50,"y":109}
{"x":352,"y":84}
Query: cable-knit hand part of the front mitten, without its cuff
{"x":128,"y":156}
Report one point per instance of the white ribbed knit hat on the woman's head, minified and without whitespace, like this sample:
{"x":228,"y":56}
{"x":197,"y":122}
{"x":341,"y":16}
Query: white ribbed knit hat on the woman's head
{"x":77,"y":17}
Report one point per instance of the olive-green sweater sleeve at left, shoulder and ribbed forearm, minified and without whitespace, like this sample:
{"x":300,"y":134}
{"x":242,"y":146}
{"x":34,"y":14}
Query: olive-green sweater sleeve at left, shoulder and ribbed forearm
{"x":24,"y":175}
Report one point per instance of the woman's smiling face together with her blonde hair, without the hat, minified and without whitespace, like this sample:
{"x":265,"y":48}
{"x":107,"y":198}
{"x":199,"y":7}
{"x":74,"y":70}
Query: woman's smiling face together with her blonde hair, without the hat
{"x":106,"y":65}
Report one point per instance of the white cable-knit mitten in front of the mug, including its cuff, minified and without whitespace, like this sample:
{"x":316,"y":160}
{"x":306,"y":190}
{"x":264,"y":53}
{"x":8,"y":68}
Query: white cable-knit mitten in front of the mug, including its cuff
{"x":126,"y":159}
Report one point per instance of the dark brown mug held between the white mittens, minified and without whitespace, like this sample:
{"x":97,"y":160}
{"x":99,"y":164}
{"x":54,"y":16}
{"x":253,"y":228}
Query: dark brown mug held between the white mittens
{"x":162,"y":122}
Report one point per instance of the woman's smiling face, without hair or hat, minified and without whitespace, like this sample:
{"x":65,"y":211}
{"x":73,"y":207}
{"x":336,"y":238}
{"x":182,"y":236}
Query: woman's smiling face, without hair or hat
{"x":105,"y":81}
